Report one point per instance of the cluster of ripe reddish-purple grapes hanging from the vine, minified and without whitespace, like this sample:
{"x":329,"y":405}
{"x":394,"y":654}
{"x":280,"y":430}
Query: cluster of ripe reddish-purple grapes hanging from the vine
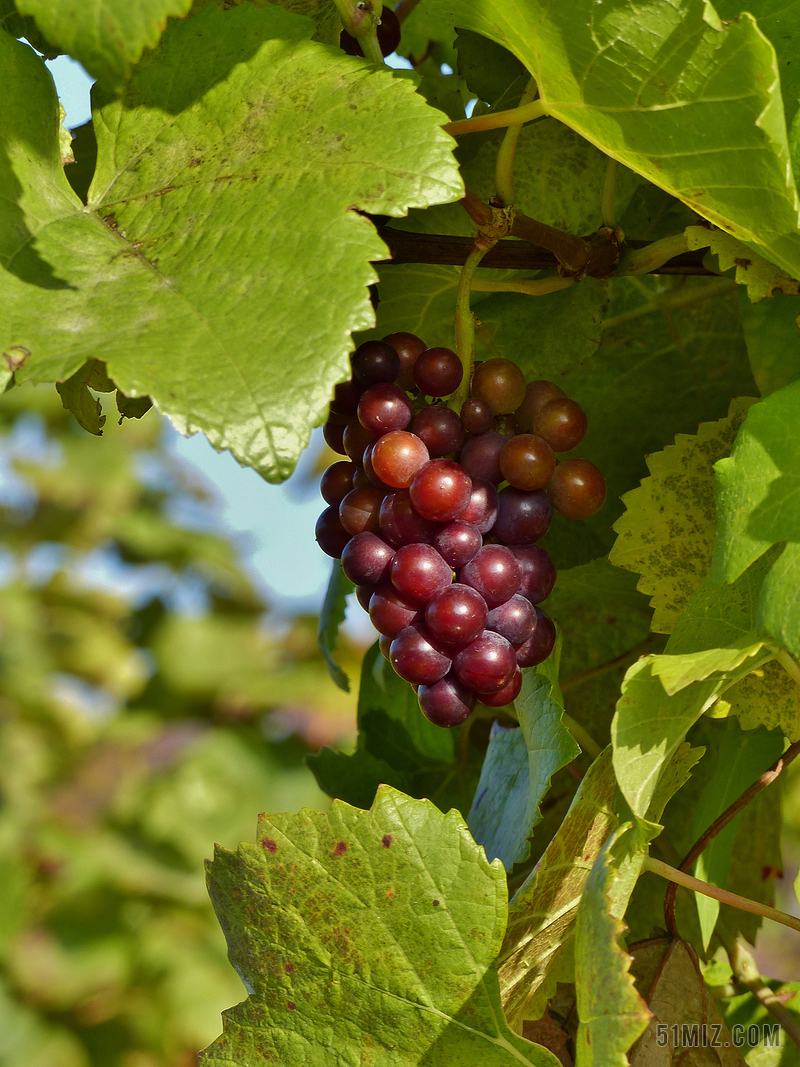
{"x":446,"y":563}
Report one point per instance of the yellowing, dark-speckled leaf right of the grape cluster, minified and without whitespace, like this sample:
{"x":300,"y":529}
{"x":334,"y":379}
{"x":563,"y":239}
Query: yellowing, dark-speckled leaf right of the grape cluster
{"x":667,"y":533}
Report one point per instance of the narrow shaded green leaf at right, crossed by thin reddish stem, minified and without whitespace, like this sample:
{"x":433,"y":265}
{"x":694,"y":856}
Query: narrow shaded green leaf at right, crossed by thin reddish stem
{"x":743,"y":758}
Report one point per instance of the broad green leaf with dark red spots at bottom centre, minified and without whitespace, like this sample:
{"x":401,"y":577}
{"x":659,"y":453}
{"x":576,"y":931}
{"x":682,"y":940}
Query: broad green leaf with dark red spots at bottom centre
{"x":330,"y":922}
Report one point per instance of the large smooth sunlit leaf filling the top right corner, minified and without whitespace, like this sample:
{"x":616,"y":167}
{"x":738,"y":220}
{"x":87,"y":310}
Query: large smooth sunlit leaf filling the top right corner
{"x":670,"y":92}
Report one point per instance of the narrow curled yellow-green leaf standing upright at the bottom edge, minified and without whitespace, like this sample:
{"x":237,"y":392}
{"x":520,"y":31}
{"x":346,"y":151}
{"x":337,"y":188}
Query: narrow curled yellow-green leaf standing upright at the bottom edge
{"x":613,"y":1014}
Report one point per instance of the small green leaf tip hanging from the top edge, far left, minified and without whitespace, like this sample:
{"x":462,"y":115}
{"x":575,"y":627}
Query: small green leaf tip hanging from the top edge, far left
{"x":107,"y":37}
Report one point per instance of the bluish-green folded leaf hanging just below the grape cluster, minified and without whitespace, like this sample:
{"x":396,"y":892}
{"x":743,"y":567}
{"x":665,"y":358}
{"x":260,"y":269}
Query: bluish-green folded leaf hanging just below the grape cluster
{"x":520,"y":766}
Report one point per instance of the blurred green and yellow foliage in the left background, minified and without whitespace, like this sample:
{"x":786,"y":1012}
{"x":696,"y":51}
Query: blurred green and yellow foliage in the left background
{"x":149,"y":709}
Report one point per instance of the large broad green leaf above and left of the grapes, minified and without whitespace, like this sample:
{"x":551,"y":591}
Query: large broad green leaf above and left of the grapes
{"x":198,"y":188}
